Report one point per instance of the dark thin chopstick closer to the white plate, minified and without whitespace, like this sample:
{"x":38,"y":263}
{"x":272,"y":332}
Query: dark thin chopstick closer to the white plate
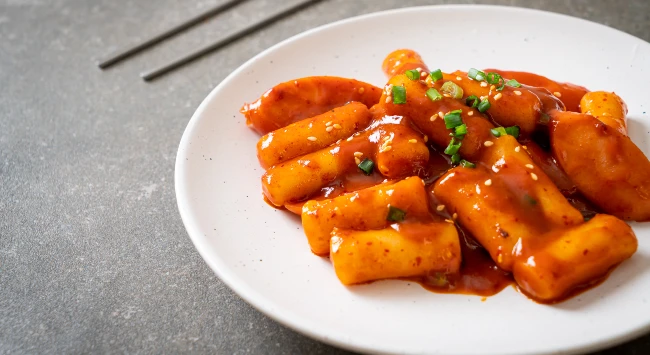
{"x":223,"y":41}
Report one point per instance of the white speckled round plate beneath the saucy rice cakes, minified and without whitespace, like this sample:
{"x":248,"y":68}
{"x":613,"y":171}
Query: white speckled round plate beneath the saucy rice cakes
{"x":262,"y":254}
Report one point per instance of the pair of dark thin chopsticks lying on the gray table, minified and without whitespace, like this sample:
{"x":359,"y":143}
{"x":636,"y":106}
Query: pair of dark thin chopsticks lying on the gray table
{"x":218,"y":43}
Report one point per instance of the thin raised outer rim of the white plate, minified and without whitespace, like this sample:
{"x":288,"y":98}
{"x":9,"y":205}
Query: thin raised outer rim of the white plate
{"x":287,"y":318}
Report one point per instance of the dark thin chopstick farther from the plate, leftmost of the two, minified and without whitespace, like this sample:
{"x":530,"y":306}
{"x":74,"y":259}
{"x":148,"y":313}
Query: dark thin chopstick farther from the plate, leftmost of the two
{"x":127,"y":52}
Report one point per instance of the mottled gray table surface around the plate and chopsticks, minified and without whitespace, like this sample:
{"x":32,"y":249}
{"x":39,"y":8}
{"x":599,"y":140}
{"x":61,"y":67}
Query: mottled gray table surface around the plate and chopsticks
{"x":93,"y":254}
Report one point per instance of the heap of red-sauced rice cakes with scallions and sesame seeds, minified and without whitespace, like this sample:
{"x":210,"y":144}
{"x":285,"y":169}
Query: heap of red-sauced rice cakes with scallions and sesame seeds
{"x":465,"y":182}
